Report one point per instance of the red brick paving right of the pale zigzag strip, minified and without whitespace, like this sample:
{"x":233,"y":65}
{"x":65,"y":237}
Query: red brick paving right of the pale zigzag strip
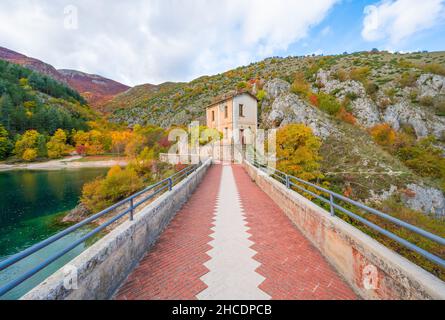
{"x":293,"y":268}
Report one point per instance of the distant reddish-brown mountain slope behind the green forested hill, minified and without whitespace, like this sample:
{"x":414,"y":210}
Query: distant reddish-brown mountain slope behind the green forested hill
{"x":95,"y":89}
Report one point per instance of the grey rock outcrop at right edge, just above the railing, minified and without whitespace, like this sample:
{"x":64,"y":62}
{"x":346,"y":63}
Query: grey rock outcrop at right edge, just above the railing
{"x":425,"y":199}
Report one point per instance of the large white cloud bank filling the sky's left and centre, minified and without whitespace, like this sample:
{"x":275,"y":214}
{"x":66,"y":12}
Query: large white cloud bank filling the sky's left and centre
{"x":153,"y":41}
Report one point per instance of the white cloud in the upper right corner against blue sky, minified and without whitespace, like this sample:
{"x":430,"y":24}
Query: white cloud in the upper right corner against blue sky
{"x":397,"y":20}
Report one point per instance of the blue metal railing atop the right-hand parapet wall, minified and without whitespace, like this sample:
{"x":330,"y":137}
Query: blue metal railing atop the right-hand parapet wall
{"x":294,"y":182}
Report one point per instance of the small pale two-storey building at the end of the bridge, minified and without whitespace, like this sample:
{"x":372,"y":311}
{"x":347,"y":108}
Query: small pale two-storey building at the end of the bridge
{"x":236,"y":117}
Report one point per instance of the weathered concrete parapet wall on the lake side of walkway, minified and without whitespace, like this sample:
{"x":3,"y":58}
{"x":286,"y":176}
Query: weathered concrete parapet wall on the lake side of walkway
{"x":105,"y":265}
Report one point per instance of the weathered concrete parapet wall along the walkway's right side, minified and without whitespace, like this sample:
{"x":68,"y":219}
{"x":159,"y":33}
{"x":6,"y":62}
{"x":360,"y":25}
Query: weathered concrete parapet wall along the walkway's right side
{"x":372,"y":270}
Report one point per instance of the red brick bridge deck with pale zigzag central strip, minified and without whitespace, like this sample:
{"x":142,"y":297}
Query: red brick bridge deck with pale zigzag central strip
{"x":229,"y":242}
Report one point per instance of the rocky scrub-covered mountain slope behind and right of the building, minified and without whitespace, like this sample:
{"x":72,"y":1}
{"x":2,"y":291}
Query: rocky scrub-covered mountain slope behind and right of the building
{"x":341,"y":98}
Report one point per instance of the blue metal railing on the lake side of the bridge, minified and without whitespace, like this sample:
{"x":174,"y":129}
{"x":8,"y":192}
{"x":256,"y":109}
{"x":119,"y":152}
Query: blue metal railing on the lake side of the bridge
{"x":155,"y":189}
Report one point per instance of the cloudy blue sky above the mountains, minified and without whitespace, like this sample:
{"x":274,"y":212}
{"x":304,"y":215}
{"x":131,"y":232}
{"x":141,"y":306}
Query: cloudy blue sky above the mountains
{"x":153,"y":41}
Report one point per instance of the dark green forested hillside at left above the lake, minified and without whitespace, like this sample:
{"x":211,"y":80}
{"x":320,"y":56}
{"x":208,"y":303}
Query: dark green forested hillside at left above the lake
{"x":32,"y":101}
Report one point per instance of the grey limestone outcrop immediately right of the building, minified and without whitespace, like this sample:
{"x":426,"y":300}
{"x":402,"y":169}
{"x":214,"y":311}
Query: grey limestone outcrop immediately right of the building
{"x":289,"y":108}
